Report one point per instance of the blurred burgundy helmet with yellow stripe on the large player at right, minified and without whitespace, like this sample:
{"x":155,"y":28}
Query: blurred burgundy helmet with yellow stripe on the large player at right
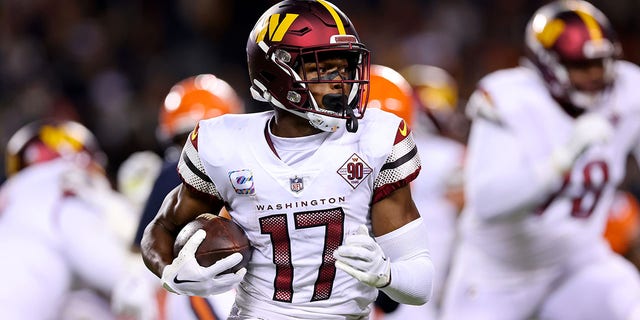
{"x":575,"y":32}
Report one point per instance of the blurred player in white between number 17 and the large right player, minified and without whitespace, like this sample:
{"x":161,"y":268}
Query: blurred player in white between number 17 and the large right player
{"x":440,"y":133}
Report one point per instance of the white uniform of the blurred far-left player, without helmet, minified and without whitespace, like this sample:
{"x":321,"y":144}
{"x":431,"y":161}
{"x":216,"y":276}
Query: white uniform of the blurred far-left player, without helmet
{"x":51,"y":240}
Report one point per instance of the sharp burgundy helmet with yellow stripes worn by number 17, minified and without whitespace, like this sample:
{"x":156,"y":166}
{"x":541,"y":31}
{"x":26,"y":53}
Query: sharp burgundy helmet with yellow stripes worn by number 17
{"x":294,"y":32}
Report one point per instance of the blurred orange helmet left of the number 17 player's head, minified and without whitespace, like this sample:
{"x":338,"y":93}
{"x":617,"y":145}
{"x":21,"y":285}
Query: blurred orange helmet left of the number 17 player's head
{"x":195,"y":98}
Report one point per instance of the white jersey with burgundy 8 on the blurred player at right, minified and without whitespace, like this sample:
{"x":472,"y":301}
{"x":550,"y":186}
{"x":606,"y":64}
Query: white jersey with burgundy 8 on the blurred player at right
{"x":517,"y":126}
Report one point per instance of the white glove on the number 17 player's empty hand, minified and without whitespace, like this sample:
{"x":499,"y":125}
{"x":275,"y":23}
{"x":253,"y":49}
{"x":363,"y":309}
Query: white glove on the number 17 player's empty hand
{"x":363,"y":259}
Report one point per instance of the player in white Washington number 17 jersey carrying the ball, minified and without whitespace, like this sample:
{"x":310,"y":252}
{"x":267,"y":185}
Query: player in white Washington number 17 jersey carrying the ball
{"x":321,"y":190}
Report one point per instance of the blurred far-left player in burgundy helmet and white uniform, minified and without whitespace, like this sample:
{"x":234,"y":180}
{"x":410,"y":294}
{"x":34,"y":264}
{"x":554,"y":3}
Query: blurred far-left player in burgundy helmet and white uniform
{"x":56,"y":234}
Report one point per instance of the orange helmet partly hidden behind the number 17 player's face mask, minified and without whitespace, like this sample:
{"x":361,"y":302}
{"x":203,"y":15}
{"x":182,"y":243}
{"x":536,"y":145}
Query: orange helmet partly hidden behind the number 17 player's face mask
{"x":391,"y":92}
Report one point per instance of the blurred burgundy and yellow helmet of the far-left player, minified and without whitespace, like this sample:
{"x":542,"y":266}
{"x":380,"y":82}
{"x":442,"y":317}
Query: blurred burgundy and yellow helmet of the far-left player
{"x":49,"y":139}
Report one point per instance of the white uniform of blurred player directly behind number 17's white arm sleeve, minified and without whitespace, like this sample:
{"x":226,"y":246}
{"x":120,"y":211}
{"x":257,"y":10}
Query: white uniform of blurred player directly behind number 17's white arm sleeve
{"x":442,"y":161}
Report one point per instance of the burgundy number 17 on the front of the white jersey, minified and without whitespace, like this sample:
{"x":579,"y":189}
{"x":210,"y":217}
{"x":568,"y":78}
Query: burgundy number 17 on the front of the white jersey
{"x":276,"y":226}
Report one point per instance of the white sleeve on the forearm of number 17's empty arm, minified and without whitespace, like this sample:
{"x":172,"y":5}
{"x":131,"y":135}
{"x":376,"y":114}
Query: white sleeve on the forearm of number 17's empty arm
{"x":411,"y":267}
